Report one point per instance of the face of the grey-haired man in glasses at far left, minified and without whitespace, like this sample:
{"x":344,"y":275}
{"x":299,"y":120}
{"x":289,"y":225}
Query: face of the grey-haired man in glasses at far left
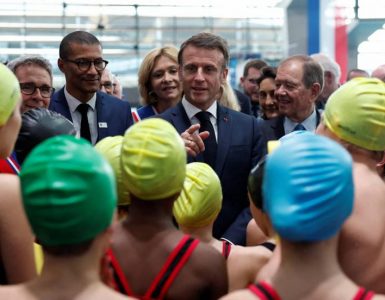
{"x":34,"y":75}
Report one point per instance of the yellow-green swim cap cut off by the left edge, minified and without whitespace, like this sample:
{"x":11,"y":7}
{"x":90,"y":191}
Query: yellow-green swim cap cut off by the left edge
{"x":9,"y":93}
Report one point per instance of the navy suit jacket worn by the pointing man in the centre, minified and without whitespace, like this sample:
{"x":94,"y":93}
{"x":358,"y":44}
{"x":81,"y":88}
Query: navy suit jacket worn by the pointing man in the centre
{"x":240,"y":145}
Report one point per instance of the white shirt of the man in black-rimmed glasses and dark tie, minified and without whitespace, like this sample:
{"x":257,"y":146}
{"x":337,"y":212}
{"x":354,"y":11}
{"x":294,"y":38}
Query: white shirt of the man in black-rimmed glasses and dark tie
{"x":73,"y":103}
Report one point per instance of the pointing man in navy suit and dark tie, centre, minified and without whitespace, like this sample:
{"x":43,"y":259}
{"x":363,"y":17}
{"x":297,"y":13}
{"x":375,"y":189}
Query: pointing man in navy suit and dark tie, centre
{"x":231,"y":142}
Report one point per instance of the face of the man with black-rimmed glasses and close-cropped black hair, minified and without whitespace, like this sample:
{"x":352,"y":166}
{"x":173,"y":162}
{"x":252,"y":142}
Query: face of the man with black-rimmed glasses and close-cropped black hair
{"x":81,"y":84}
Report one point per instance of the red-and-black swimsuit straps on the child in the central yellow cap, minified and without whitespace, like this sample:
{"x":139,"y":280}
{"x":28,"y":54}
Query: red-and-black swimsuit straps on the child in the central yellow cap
{"x":162,"y":282}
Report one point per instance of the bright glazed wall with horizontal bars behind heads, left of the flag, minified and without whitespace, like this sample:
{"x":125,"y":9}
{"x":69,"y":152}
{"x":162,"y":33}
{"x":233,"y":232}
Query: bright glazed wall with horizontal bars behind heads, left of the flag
{"x":129,"y":29}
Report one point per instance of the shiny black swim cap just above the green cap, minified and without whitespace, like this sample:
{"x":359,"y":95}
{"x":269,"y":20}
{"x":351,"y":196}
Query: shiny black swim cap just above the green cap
{"x":39,"y":124}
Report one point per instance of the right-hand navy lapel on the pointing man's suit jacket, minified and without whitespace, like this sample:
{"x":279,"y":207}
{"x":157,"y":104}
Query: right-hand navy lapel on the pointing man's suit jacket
{"x":224,"y":122}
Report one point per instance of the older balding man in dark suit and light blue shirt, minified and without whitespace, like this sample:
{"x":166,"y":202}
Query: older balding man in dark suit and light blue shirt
{"x":299,"y":82}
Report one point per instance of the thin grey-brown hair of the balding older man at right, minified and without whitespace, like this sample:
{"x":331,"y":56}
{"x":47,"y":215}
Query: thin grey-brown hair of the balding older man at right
{"x":312,"y":70}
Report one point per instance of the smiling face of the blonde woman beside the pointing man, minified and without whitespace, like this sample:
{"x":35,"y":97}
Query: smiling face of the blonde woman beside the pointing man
{"x":164,"y":80}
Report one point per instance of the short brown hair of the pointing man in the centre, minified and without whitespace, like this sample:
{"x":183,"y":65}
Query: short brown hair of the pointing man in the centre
{"x":208,"y":41}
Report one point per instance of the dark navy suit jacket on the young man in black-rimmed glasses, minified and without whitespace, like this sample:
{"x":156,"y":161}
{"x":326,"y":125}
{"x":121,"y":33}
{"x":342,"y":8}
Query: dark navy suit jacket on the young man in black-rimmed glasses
{"x":110,"y":110}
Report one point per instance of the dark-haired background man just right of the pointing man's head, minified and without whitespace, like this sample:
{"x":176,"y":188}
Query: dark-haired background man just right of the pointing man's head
{"x":251,"y":73}
